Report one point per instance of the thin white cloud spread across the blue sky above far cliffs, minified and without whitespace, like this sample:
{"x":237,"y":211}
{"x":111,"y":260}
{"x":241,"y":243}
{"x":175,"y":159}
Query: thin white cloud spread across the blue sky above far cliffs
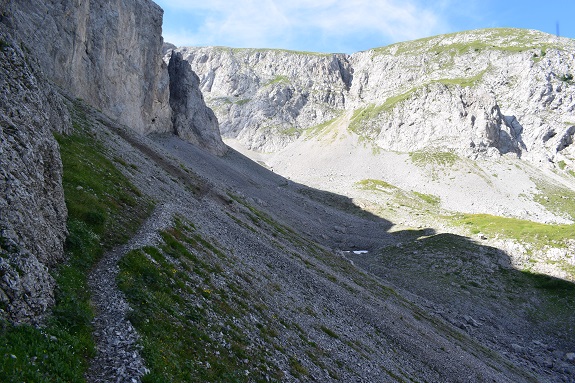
{"x":300,"y":23}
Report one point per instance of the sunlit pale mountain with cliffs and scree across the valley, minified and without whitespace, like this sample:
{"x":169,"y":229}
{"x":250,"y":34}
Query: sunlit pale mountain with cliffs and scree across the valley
{"x":477,"y":122}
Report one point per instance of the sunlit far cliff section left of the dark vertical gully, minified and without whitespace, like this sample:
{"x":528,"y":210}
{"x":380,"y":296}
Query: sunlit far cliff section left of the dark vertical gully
{"x":267,"y":97}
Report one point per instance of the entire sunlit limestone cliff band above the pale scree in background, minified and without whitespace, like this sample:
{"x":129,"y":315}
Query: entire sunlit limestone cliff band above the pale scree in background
{"x":485,"y":92}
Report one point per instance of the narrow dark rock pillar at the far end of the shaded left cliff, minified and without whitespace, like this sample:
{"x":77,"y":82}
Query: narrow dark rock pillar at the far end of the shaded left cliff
{"x":192,"y":119}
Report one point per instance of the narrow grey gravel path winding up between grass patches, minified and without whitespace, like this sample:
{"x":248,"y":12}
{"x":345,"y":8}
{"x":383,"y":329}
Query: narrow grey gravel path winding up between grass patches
{"x":117,"y":356}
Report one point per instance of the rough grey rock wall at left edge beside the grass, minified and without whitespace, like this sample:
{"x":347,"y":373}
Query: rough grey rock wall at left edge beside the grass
{"x":32,"y":209}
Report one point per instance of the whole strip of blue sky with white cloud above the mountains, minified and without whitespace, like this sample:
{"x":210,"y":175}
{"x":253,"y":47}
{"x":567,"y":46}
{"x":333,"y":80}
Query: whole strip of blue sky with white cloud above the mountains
{"x":349,"y":25}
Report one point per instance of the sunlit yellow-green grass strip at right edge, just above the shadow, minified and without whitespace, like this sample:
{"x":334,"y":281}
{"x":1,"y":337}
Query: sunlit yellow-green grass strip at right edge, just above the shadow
{"x":538,"y":234}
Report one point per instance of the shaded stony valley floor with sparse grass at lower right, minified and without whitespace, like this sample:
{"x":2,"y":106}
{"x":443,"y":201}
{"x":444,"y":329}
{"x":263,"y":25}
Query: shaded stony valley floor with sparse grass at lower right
{"x":475,"y":287}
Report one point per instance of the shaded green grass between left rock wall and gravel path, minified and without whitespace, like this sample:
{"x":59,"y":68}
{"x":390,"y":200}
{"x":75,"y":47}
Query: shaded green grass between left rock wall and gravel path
{"x":106,"y":211}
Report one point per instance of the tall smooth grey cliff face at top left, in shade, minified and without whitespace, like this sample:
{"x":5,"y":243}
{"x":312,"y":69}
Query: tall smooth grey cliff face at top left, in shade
{"x":105,"y":52}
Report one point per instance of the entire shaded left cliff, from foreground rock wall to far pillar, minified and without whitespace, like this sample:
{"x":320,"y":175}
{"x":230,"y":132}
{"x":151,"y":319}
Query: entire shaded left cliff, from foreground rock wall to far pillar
{"x":110,"y":55}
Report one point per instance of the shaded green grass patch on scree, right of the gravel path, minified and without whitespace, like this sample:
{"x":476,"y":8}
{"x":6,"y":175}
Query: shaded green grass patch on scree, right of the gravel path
{"x":187,"y":323}
